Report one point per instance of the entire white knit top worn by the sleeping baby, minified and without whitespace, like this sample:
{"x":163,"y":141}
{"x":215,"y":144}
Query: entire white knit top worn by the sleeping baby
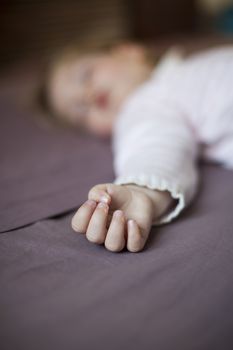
{"x":185,"y":111}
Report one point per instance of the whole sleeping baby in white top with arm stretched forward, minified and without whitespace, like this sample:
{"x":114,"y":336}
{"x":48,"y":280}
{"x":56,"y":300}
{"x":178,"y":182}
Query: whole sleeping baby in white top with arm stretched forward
{"x":161,"y":118}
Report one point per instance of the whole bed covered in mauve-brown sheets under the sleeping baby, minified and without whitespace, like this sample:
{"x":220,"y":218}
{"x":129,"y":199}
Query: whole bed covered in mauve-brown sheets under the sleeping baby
{"x":58,"y":291}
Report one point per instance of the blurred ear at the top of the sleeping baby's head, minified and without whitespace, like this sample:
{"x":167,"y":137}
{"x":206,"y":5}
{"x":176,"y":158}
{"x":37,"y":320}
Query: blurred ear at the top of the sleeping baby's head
{"x":130,"y":51}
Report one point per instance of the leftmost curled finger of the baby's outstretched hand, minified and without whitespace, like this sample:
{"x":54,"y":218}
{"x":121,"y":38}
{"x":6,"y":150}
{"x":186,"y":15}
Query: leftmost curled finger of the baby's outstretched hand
{"x":80,"y":220}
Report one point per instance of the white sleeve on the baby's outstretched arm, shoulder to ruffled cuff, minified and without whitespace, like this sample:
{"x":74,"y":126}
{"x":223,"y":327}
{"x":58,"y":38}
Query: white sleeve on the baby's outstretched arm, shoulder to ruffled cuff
{"x":154,"y":146}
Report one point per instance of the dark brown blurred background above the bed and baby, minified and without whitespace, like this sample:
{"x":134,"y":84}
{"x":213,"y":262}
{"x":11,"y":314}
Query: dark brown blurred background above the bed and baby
{"x":36,"y":28}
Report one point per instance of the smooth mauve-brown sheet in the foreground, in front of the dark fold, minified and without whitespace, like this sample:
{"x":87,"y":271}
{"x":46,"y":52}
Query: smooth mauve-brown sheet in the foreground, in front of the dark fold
{"x":58,"y":291}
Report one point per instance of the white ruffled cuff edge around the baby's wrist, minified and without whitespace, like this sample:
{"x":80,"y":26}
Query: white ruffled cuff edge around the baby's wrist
{"x":156,"y":183}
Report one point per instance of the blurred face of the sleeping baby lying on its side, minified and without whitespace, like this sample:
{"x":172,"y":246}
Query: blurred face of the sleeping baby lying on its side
{"x":89,"y":91}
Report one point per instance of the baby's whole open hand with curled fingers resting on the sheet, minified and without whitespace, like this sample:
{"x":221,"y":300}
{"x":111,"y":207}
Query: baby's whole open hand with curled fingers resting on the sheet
{"x":119,"y":215}
